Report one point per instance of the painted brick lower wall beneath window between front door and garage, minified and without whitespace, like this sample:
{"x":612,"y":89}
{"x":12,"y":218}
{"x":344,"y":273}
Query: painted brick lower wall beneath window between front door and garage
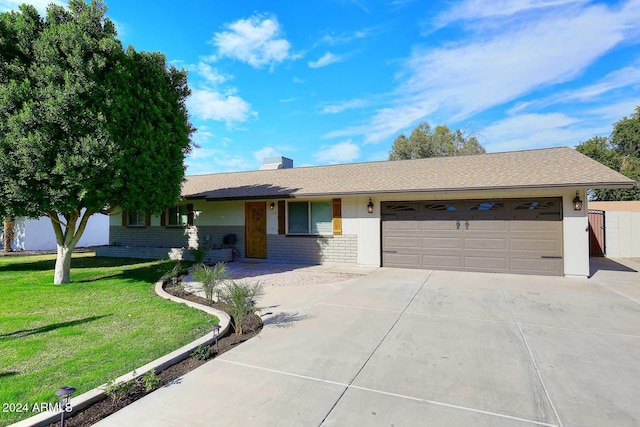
{"x":313,"y":249}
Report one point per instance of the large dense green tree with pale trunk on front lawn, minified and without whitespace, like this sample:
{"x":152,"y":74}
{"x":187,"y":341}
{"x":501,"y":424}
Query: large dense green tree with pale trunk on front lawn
{"x":85,"y":126}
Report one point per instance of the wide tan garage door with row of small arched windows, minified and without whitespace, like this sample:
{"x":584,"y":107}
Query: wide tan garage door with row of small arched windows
{"x":506,"y":235}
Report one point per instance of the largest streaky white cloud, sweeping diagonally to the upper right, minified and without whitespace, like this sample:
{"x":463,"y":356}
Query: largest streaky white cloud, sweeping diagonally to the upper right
{"x":456,"y":81}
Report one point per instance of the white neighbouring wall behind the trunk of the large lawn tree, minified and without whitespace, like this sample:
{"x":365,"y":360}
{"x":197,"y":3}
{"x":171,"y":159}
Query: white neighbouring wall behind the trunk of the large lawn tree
{"x":38,"y":235}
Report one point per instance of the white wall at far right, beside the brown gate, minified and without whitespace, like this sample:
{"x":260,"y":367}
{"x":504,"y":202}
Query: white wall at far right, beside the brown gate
{"x":622,"y":230}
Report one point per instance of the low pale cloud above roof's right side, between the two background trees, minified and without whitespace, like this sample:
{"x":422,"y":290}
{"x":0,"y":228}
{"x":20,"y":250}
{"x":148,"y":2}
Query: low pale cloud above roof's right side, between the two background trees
{"x":529,"y":131}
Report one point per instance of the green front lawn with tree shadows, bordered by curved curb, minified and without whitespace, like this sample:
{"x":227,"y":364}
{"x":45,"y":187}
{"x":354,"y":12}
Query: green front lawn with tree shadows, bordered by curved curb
{"x":105,"y":323}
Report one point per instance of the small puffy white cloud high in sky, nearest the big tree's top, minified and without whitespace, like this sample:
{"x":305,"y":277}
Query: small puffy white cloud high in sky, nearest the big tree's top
{"x":256,"y":40}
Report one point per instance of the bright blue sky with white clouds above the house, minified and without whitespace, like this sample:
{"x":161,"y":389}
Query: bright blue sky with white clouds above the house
{"x":336,"y":81}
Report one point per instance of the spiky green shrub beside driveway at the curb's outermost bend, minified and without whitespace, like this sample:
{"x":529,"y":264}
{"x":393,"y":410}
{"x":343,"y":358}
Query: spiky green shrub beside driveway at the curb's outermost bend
{"x":241,"y":298}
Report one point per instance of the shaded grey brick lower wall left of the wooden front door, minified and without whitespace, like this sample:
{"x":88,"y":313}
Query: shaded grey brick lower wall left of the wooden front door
{"x":175,"y":237}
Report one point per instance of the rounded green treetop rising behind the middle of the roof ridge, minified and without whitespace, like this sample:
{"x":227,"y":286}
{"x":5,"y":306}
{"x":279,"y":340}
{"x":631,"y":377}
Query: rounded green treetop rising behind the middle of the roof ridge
{"x":441,"y":141}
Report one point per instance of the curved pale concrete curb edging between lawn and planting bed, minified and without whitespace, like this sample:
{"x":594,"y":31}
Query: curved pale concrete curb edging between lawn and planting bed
{"x":88,"y":398}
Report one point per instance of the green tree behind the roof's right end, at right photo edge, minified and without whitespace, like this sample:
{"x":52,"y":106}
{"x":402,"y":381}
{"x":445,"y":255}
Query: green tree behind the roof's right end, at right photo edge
{"x":621,"y":152}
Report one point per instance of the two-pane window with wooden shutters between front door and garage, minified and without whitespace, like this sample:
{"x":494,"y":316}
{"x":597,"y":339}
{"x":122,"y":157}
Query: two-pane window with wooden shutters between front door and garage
{"x":310,"y":218}
